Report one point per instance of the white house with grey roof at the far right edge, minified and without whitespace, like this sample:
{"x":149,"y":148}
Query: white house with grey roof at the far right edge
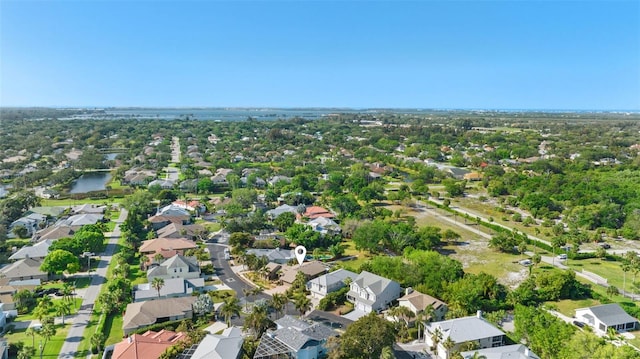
{"x":603,"y":317}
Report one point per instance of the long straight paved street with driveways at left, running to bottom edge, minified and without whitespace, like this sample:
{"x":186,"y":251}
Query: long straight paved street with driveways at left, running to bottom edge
{"x":77,"y":330}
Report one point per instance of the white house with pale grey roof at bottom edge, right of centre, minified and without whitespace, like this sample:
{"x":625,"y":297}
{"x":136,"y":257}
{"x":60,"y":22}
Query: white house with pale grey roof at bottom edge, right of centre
{"x":473,"y":329}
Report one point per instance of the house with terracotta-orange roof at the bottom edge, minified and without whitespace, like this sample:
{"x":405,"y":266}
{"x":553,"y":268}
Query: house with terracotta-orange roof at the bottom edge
{"x":149,"y":345}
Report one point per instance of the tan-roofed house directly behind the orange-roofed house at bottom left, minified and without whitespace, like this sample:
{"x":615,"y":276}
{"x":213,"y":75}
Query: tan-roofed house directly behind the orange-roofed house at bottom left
{"x":141,"y":314}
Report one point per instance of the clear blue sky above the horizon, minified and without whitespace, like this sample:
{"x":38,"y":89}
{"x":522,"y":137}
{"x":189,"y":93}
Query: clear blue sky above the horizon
{"x":392,"y":54}
